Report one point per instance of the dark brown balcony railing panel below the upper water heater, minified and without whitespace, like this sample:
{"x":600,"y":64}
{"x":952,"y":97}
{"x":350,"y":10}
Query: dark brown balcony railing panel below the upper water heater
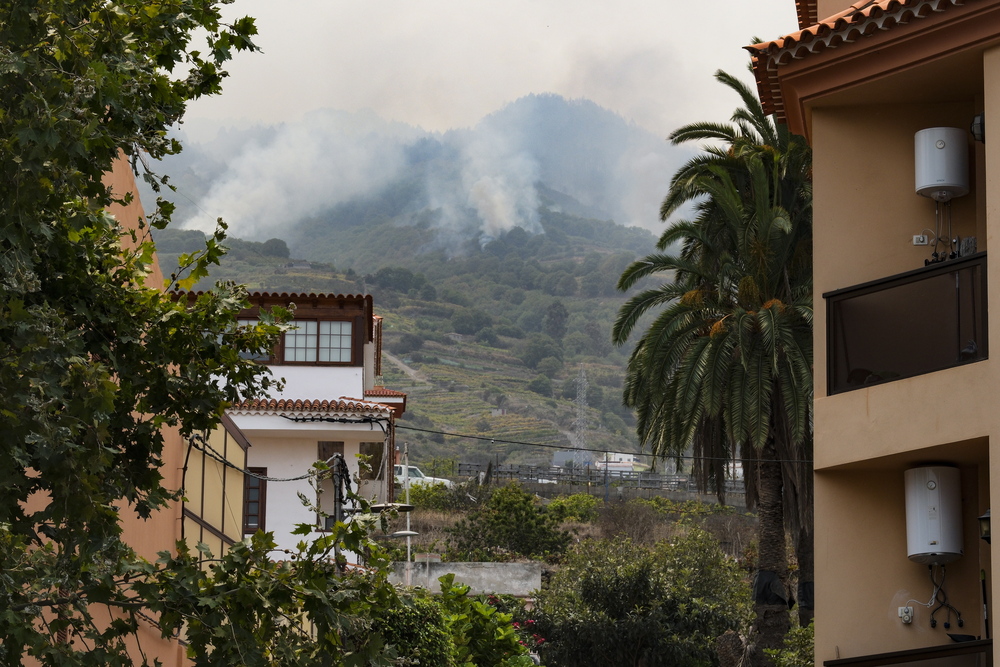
{"x":913,"y":323}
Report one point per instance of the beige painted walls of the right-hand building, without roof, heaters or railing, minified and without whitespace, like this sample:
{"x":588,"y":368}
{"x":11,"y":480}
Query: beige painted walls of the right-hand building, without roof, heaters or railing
{"x":866,"y":213}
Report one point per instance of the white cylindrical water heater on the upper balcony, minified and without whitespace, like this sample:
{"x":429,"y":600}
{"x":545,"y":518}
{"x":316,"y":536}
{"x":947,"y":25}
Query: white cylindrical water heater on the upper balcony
{"x":942,"y":162}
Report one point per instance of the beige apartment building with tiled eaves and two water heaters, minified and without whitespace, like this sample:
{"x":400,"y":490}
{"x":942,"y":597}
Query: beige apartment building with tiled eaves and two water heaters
{"x":904,"y":378}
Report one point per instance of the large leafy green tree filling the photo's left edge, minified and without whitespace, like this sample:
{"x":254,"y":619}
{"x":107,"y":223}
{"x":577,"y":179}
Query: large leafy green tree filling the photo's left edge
{"x":94,"y":365}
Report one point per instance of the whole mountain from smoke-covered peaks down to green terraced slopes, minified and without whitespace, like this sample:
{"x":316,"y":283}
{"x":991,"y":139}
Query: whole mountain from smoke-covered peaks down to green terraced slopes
{"x":492,"y":252}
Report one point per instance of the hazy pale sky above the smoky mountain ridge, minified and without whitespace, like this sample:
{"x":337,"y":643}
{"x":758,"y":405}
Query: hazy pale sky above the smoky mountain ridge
{"x":441,"y":64}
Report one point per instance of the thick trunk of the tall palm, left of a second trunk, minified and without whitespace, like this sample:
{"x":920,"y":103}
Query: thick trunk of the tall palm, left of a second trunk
{"x":770,"y":581}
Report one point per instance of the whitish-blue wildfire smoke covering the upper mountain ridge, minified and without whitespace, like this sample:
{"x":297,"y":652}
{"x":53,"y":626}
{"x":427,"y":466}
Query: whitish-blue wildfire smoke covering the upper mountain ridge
{"x":480,"y":181}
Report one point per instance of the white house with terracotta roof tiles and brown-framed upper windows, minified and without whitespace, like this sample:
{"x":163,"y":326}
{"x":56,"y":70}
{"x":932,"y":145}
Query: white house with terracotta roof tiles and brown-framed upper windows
{"x":329,"y":405}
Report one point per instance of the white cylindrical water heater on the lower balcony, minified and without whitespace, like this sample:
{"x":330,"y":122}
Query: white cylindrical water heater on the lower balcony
{"x":933,"y":514}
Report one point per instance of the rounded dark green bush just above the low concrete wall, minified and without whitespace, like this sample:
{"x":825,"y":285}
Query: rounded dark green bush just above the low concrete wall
{"x":508,"y":525}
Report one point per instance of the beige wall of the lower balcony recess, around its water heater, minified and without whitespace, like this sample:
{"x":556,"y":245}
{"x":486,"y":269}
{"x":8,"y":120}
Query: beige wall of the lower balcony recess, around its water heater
{"x":865,"y":575}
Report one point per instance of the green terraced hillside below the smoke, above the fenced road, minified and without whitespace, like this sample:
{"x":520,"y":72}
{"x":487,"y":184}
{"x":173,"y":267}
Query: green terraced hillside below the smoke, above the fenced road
{"x":490,"y":343}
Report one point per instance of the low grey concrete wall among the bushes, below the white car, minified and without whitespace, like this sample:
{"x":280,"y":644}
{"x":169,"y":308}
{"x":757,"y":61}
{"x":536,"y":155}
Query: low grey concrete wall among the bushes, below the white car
{"x":518,"y":579}
